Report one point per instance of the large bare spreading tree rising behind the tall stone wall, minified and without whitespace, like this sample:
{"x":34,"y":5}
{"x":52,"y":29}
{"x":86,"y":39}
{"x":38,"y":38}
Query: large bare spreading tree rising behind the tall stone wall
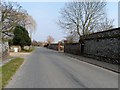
{"x":82,"y":17}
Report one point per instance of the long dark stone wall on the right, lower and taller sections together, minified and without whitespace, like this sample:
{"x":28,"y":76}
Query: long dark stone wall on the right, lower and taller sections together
{"x":103,"y":46}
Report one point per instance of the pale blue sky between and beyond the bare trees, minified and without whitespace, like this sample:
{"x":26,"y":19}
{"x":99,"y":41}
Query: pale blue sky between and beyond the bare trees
{"x":46,"y":15}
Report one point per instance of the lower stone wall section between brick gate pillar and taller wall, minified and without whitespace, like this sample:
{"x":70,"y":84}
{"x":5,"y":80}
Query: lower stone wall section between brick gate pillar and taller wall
{"x":73,"y":48}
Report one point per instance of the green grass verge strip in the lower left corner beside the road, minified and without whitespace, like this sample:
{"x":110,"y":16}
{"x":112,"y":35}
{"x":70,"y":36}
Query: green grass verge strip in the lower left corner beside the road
{"x":9,"y":69}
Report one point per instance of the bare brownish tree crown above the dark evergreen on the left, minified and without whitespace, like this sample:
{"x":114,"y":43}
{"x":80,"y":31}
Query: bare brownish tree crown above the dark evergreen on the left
{"x":12,"y":14}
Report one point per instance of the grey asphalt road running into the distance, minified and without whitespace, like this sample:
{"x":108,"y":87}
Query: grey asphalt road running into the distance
{"x":46,"y":68}
